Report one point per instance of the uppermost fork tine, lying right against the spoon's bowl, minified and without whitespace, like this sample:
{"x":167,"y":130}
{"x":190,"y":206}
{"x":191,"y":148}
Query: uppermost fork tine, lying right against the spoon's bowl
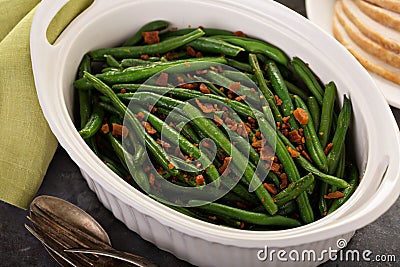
{"x":69,"y":228}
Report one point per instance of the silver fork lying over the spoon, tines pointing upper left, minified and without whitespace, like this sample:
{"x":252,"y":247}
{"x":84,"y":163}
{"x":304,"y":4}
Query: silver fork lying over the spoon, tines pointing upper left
{"x":71,"y":246}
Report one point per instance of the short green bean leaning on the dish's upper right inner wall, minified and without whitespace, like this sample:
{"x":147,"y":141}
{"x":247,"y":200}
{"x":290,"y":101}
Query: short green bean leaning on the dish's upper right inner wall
{"x":308,"y":78}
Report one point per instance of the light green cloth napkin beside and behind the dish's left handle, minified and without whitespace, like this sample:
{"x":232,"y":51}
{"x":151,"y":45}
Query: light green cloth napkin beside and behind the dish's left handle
{"x":27,"y":144}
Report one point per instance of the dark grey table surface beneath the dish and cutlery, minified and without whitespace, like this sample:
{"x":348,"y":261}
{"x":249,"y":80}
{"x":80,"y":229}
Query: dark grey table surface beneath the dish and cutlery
{"x":63,"y":179}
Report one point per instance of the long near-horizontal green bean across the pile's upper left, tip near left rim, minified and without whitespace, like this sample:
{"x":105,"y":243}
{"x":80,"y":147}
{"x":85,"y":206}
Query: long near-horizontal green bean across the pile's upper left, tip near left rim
{"x":143,"y":72}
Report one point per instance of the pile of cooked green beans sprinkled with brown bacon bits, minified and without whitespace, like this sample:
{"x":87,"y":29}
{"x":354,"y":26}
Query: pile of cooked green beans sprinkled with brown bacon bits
{"x":292,"y":112}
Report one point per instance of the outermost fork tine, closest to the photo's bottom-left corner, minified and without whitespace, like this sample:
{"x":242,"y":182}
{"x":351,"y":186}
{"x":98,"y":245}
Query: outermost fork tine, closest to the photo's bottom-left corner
{"x":73,"y":260}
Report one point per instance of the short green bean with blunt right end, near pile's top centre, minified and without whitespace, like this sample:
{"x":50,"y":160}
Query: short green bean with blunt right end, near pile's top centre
{"x":210,"y":45}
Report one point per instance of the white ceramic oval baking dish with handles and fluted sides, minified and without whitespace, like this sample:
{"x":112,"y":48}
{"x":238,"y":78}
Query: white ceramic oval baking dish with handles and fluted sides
{"x":107,"y":23}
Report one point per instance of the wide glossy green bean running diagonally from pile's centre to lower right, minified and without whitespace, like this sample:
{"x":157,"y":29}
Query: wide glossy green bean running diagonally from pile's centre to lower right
{"x":219,"y":138}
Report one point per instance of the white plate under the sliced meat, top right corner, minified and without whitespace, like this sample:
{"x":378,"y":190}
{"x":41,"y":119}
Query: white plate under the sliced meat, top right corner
{"x":321,"y":12}
